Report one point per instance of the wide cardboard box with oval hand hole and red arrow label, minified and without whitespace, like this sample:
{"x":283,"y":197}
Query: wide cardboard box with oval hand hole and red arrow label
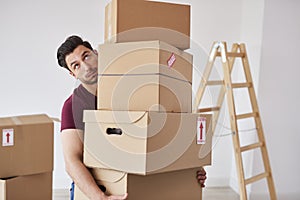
{"x":146,"y":142}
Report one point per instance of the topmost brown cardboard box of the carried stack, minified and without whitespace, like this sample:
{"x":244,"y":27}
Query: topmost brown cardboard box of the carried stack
{"x":129,"y":21}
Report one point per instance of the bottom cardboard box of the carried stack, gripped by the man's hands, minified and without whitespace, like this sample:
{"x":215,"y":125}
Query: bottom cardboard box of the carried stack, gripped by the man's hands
{"x":176,"y":185}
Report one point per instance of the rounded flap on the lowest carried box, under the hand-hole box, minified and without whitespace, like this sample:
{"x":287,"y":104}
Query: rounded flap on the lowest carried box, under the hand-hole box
{"x":107,"y":175}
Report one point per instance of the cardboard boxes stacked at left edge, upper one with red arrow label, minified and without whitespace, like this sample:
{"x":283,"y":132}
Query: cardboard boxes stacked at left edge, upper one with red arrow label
{"x":26,"y":156}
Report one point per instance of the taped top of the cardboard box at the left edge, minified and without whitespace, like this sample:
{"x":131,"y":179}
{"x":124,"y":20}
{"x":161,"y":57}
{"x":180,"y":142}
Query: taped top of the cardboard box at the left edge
{"x":25,"y":119}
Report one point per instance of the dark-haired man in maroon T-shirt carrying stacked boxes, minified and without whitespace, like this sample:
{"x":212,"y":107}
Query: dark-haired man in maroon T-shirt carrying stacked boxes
{"x":81,"y":60}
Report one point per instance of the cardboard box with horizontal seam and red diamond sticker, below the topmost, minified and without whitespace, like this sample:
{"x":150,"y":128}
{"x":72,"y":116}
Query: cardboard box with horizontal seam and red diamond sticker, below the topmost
{"x":144,"y":76}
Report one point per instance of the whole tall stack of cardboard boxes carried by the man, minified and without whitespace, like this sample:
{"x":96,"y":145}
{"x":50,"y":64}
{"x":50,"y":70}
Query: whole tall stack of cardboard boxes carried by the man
{"x":143,"y":139}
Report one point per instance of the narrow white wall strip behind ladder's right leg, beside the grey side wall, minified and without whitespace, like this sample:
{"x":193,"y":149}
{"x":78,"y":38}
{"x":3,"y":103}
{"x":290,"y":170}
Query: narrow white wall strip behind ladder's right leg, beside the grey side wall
{"x":251,"y":35}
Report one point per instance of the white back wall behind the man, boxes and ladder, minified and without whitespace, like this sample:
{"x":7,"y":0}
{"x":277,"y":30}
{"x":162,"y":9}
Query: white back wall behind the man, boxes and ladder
{"x":32,"y":82}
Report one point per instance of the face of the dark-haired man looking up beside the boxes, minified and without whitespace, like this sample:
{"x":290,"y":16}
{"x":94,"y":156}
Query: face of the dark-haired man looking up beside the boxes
{"x":83,"y":64}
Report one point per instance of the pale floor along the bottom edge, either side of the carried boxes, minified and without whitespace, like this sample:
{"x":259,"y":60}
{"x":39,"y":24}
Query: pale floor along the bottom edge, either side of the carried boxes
{"x":210,"y":193}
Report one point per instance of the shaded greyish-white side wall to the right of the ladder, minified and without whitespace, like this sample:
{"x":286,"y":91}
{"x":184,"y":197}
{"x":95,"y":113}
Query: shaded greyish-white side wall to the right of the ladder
{"x":279,"y":96}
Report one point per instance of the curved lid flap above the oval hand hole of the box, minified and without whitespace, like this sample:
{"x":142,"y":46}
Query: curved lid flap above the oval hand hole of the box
{"x":112,"y":117}
